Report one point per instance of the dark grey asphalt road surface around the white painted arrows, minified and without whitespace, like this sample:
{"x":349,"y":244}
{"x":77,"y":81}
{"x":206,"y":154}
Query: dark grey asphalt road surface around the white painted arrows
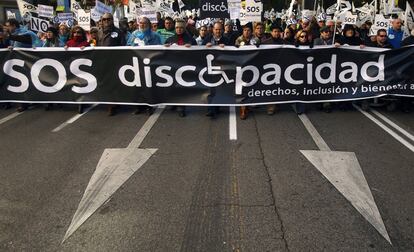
{"x":202,"y":191}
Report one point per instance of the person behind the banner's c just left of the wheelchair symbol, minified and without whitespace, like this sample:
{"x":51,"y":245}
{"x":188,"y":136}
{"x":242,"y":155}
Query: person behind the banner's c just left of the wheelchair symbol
{"x":181,"y":38}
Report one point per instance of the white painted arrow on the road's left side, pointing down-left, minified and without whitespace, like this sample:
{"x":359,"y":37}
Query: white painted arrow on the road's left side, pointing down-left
{"x":114,"y":168}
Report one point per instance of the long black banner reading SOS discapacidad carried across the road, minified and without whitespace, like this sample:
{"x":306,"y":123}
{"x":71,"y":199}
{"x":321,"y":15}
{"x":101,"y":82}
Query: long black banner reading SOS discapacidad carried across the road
{"x":201,"y":76}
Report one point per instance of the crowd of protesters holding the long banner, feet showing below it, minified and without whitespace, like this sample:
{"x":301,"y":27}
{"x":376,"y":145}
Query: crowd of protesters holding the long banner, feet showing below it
{"x":305,"y":32}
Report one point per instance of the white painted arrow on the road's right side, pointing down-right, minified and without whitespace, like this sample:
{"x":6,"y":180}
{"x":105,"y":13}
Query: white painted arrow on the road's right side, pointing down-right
{"x":342,"y":169}
